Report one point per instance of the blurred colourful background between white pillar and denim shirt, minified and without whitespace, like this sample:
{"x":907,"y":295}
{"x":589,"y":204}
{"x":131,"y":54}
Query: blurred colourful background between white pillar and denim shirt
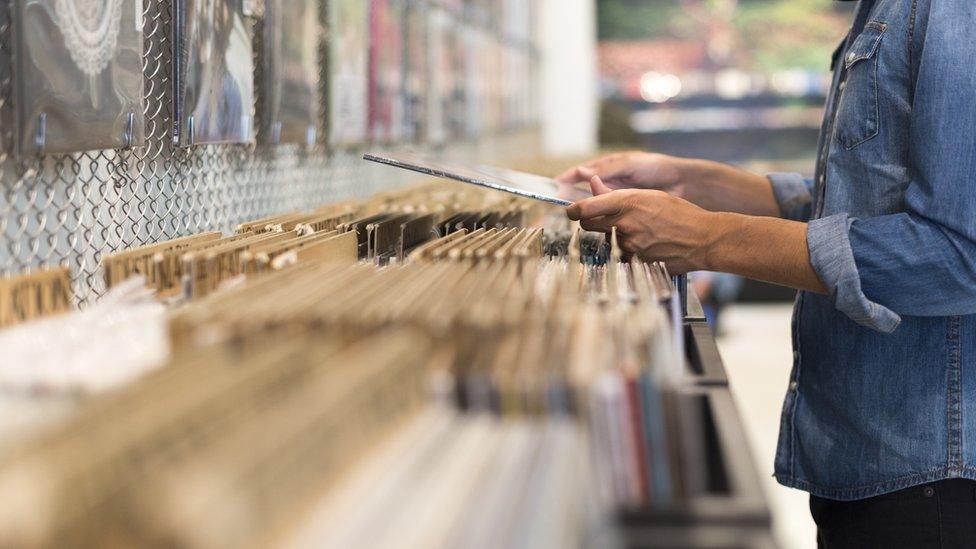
{"x":708,"y":41}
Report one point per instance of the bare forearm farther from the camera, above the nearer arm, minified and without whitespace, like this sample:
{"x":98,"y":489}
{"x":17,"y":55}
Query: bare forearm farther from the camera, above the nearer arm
{"x":723,"y":188}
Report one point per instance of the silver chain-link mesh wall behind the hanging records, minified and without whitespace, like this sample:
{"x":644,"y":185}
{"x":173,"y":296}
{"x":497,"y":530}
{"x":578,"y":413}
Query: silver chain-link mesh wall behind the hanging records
{"x":71,"y":209}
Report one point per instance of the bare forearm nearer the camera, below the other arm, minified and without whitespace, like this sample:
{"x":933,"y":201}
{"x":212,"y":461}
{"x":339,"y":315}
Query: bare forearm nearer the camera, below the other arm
{"x":761,"y":248}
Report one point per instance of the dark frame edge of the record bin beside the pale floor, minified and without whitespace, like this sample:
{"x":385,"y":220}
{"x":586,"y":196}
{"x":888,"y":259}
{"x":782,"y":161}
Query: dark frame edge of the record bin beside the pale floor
{"x":732,"y":512}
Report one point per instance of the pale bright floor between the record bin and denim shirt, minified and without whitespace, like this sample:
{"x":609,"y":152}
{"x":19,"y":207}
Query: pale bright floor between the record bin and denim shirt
{"x":755,"y":344}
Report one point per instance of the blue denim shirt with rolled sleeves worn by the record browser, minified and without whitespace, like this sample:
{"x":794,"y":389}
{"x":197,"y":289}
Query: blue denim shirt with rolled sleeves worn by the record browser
{"x":883,"y":389}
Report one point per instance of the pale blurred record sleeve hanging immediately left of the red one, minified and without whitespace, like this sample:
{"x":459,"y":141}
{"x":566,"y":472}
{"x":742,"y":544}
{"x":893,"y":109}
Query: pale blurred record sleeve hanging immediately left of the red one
{"x":349,"y":72}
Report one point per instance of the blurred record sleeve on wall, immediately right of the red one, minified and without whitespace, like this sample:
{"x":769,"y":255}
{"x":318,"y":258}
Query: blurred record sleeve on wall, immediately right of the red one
{"x":416,"y":73}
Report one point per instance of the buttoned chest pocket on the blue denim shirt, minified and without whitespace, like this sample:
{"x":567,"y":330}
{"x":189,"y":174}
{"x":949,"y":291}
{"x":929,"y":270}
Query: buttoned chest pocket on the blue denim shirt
{"x":858,"y":111}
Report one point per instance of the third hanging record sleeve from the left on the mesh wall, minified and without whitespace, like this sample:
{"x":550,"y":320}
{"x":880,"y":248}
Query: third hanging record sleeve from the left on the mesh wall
{"x":290,"y":77}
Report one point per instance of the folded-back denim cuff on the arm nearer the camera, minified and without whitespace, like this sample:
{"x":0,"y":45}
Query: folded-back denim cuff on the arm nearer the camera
{"x":833,"y":260}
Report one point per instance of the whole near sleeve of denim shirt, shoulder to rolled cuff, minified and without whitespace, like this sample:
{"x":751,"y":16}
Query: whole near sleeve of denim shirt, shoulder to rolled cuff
{"x":920,"y":261}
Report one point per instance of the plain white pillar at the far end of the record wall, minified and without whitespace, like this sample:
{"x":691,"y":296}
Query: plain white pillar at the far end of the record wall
{"x":569,"y":86}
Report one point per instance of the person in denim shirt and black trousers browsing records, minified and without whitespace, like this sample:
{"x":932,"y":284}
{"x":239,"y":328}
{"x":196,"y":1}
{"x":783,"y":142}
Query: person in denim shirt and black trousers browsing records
{"x":879,"y":420}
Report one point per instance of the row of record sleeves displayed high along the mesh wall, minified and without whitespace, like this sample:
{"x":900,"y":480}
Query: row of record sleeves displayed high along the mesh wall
{"x":388,"y":70}
